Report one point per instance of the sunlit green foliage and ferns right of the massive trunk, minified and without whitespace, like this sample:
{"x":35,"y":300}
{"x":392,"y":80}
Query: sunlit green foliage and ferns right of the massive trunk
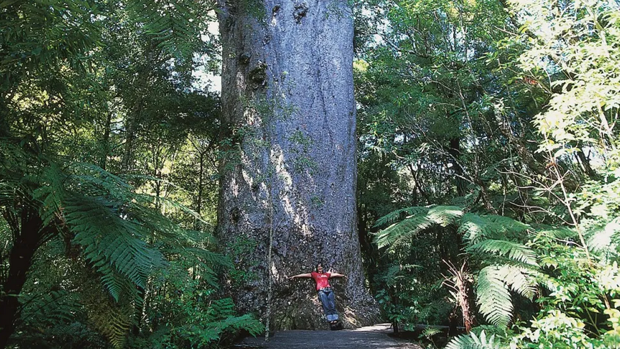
{"x":519,"y":243}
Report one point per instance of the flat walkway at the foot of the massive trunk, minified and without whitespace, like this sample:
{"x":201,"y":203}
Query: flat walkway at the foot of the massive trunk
{"x":370,"y":337}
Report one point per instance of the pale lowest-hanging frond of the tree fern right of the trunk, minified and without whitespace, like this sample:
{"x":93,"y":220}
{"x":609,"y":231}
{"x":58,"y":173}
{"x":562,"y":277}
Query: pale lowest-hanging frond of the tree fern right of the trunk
{"x":493,"y":296}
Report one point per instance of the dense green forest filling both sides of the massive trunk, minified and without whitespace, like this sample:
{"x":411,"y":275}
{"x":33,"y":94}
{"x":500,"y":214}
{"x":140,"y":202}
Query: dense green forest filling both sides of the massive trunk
{"x":488,"y":173}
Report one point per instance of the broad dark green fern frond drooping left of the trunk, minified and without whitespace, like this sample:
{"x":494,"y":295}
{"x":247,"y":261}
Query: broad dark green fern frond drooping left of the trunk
{"x":98,"y":210}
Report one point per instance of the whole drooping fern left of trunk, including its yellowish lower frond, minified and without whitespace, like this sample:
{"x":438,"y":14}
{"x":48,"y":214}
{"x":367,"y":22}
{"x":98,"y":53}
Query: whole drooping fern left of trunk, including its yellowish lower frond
{"x":112,"y":226}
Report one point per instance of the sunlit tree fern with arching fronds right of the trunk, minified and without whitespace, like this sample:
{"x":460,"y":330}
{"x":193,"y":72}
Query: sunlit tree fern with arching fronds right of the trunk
{"x":507,"y":264}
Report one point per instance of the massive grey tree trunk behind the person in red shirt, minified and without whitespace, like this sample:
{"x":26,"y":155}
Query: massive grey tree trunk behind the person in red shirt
{"x":288,"y":174}
